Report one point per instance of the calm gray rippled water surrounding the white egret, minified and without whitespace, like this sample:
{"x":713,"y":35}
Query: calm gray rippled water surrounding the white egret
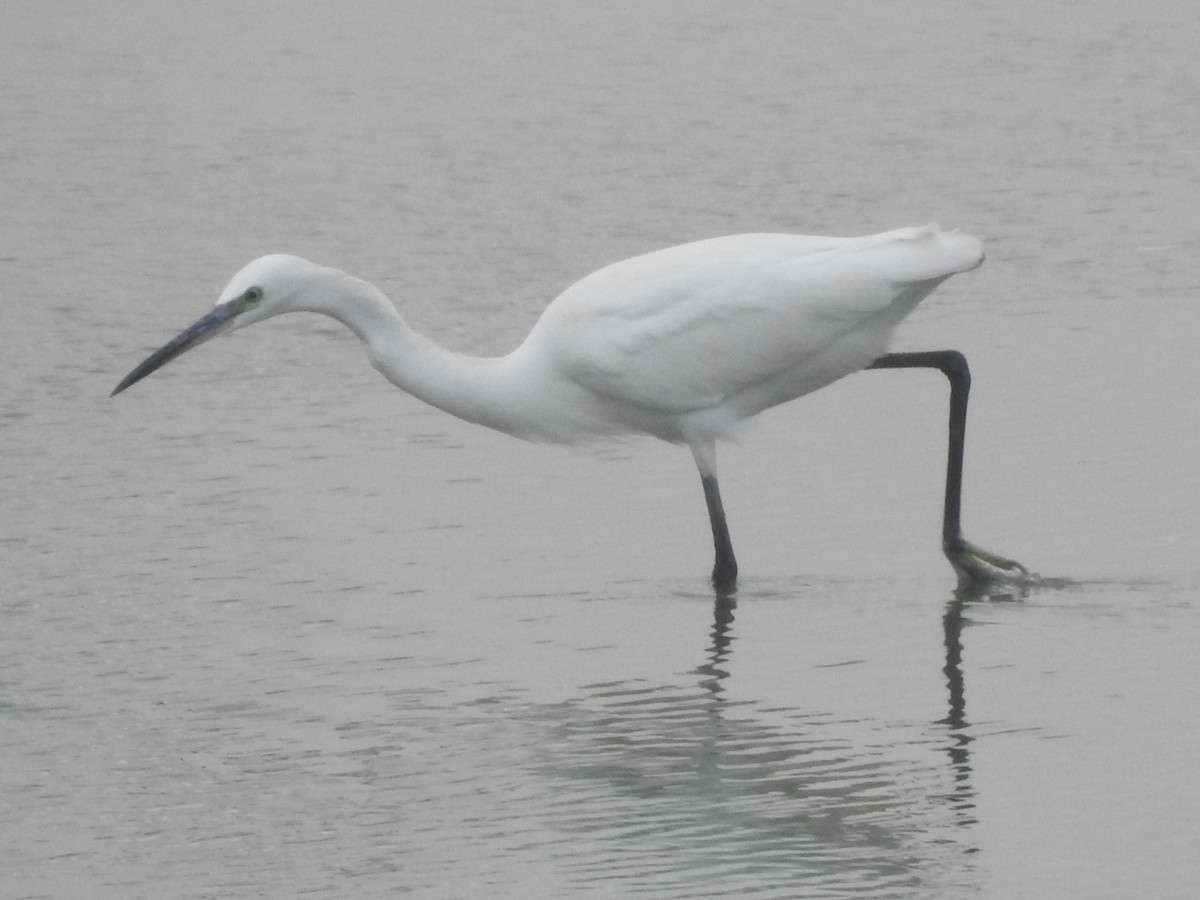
{"x":272,"y":628}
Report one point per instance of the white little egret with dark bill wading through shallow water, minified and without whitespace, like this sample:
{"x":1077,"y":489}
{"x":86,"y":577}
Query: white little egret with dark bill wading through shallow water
{"x":682,"y":344}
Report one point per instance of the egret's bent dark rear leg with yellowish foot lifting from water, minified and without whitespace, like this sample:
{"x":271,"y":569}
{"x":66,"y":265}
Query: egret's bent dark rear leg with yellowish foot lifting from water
{"x":974,"y":566}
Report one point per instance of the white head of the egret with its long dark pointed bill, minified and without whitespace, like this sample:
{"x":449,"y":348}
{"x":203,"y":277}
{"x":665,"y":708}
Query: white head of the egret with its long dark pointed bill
{"x":263,"y":289}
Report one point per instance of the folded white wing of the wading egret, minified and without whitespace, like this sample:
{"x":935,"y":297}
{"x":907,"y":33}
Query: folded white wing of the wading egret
{"x":687,"y":328}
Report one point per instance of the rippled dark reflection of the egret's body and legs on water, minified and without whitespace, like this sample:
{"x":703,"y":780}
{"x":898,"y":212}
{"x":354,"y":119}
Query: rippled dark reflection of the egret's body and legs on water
{"x":683,"y":776}
